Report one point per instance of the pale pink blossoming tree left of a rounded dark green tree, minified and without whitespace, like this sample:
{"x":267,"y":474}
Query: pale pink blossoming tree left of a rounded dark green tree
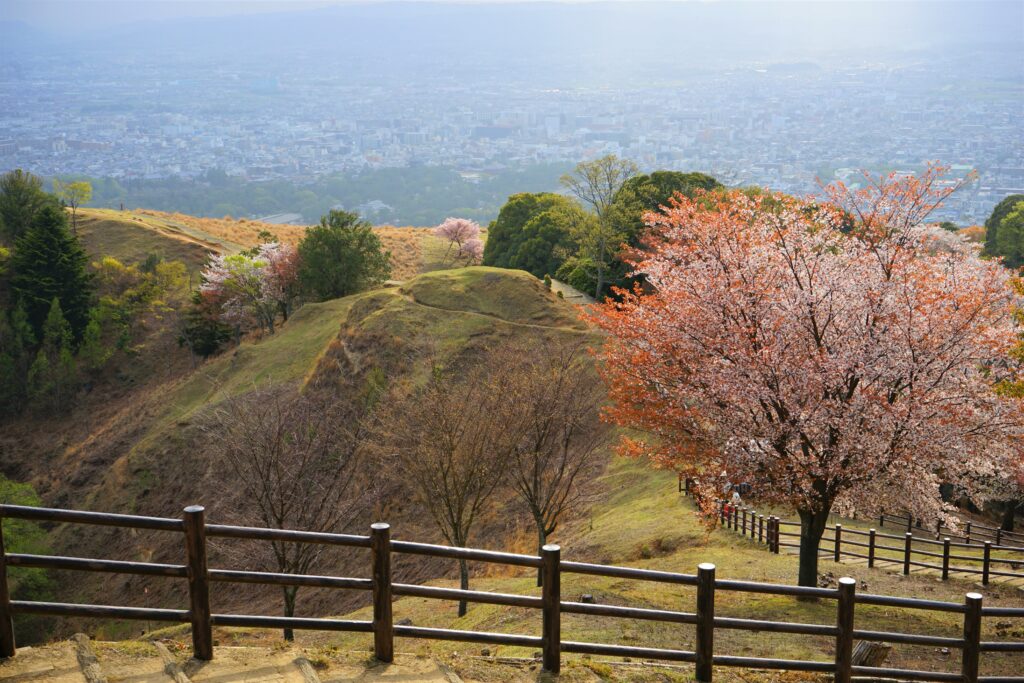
{"x":253,"y":288}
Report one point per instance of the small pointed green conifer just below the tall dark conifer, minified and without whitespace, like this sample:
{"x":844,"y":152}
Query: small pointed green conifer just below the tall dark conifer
{"x":53,"y":379}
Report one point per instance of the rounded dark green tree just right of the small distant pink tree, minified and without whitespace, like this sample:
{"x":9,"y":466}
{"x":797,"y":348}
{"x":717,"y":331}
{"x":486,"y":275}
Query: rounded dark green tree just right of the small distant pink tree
{"x":530,"y":234}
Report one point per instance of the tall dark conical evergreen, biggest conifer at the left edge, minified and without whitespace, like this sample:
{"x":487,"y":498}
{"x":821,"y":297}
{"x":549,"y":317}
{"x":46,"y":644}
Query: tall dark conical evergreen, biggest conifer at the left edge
{"x":50,"y":264}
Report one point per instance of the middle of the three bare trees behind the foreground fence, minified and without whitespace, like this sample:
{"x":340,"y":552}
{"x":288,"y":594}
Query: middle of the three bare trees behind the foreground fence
{"x":451,"y":442}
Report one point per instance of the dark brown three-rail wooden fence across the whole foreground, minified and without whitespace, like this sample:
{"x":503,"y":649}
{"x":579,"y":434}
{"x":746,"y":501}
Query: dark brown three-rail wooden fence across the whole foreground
{"x":200,"y":578}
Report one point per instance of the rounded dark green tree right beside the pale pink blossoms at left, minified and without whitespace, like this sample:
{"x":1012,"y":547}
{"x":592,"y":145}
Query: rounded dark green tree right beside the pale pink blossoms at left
{"x":342,"y":257}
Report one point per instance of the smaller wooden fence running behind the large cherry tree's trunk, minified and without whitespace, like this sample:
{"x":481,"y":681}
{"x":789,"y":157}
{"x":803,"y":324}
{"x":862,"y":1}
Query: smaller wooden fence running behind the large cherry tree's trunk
{"x":912,"y":551}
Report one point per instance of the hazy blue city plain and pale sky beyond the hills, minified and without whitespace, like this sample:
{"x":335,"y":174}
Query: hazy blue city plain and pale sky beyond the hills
{"x":166,"y":101}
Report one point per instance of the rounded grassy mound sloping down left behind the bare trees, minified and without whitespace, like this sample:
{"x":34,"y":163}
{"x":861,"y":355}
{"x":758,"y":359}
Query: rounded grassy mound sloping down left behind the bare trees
{"x":152,"y":458}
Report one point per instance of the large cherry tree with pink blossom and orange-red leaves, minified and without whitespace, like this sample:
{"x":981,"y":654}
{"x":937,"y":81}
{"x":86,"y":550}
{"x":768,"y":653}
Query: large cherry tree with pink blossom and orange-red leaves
{"x":822,"y":350}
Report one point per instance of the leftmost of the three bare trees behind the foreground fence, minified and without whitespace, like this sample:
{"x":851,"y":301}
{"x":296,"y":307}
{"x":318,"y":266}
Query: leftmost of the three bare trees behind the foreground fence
{"x":296,"y":460}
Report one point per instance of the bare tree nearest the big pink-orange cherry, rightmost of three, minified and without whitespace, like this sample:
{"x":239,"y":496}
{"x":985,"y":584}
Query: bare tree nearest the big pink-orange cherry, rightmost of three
{"x":556,"y":398}
